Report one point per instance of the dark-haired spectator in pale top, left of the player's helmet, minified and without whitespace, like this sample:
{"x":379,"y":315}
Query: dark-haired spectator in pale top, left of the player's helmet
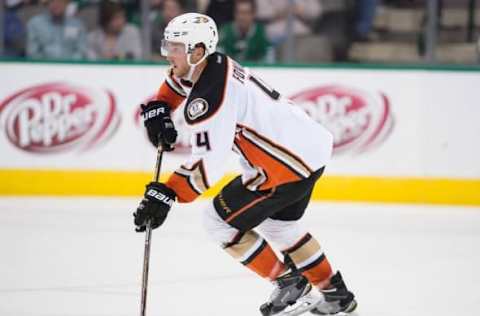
{"x":115,"y":39}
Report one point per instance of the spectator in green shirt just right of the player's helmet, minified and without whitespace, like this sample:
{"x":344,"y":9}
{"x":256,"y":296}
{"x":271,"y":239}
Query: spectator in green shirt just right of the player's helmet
{"x":244,"y":39}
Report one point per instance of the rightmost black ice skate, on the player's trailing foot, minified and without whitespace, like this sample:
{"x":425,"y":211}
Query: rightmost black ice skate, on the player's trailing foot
{"x":338,"y":299}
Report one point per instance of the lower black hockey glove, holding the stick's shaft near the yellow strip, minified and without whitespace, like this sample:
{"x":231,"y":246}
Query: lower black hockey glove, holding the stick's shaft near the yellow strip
{"x":157,"y":201}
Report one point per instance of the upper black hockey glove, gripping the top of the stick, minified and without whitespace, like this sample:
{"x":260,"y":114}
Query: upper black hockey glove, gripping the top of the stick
{"x":160,"y":128}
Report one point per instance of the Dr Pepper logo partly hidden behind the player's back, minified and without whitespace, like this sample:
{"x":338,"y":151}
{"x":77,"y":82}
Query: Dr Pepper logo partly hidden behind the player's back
{"x":358,"y":120}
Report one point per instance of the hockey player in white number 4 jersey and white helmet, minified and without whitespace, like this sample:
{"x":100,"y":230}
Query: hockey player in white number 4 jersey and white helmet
{"x":282,"y":153}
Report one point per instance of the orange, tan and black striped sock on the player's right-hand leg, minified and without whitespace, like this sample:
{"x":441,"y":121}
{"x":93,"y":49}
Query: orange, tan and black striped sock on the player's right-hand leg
{"x":309,"y":258}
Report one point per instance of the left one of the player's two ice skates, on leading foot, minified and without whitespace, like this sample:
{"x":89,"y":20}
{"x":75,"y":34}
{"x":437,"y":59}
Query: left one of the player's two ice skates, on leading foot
{"x":292,"y":296}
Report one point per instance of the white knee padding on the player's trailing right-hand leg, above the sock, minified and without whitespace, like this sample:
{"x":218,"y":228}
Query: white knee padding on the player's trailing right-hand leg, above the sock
{"x":281,"y":234}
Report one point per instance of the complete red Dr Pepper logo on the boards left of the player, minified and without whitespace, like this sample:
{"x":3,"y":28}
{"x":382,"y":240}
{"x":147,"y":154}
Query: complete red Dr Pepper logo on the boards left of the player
{"x":56,"y":117}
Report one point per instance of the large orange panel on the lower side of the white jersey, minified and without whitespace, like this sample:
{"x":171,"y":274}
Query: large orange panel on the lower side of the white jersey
{"x":277,"y":172}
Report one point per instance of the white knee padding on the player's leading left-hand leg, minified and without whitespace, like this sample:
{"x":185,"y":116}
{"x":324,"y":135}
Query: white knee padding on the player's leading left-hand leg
{"x":218,"y":230}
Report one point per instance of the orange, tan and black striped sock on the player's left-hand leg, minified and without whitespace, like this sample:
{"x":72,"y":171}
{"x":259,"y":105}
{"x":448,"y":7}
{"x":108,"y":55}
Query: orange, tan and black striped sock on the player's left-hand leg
{"x":256,"y":254}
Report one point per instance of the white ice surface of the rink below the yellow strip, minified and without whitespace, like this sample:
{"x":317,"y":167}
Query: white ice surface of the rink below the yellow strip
{"x":80,"y":257}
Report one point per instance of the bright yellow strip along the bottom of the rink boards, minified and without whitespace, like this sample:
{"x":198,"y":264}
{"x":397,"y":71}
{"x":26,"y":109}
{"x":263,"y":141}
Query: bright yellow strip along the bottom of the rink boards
{"x":330,"y":187}
